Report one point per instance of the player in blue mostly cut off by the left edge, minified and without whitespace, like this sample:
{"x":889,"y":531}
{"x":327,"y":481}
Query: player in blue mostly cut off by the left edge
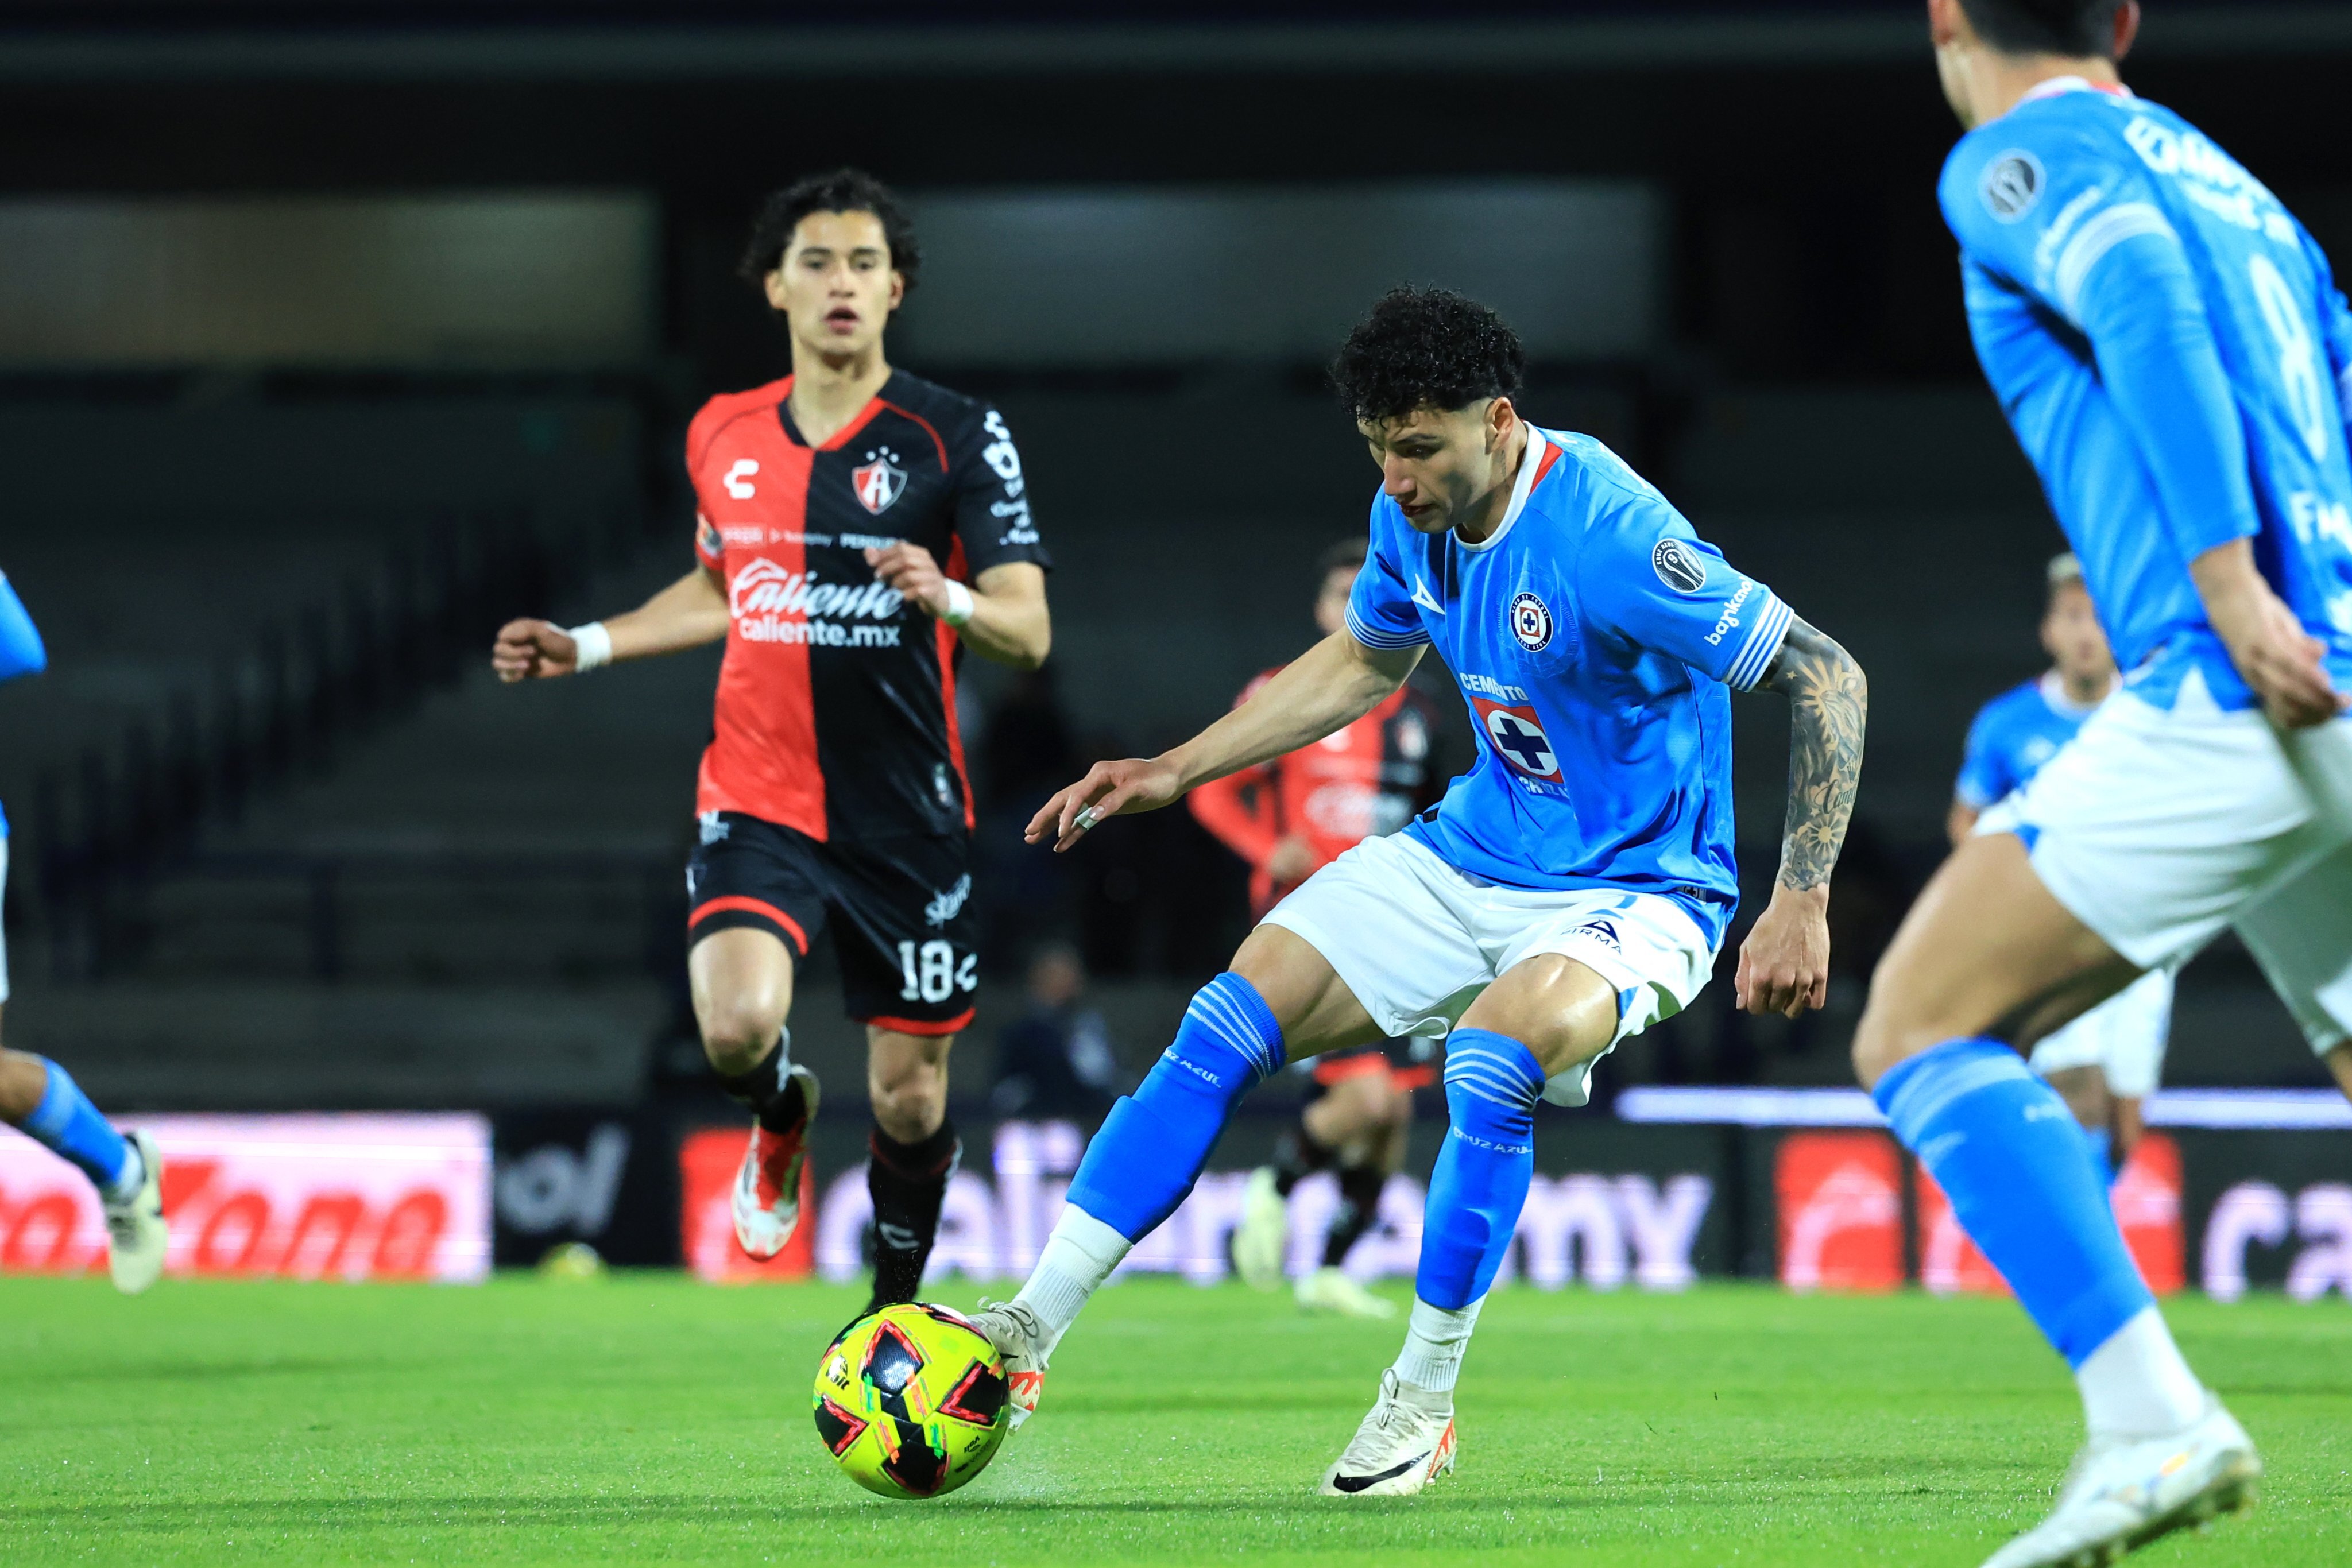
{"x":44,"y":1104}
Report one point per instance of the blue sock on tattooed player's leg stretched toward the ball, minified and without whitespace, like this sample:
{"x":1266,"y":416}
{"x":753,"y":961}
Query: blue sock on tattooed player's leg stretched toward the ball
{"x":1151,"y":1148}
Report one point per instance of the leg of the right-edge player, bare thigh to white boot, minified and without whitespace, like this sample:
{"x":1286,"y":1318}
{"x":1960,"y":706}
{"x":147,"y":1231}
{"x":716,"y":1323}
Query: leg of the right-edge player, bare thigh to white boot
{"x":1984,"y":944}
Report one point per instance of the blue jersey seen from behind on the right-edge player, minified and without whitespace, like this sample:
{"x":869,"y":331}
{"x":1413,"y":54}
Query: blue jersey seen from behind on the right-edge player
{"x":2170,"y":349}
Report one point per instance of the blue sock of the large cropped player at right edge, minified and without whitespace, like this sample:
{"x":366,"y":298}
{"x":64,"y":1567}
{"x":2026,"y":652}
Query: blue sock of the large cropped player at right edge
{"x":2019,"y":1172}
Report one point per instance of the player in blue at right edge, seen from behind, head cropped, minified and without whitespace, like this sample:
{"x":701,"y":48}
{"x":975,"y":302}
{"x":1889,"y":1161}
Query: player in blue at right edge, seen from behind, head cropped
{"x":2167,"y":344}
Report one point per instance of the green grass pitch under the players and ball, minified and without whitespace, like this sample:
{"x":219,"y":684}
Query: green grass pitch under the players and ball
{"x":650,"y":1421}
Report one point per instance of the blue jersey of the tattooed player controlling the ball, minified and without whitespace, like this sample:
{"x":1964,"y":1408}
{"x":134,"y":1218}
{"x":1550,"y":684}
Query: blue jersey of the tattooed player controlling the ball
{"x":1593,"y":636}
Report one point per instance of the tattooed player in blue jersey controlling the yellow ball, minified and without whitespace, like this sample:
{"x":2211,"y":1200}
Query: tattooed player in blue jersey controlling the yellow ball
{"x":1570,"y":892}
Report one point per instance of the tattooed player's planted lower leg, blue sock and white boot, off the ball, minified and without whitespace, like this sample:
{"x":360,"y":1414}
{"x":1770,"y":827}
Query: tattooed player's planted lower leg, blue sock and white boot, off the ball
{"x":1476,"y":1200}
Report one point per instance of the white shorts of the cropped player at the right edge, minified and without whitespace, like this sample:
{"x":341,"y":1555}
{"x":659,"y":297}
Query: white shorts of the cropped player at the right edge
{"x":2158,"y":829}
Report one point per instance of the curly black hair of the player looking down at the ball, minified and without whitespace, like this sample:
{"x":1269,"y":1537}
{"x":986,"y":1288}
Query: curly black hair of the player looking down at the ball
{"x":1426,"y":349}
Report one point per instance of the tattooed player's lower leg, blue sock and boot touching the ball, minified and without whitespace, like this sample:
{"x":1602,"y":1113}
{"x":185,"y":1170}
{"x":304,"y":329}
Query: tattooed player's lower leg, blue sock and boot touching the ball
{"x":1140,"y":1167}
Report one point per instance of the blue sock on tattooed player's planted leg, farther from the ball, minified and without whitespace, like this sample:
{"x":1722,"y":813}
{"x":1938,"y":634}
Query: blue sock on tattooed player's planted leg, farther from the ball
{"x":1483,"y":1170}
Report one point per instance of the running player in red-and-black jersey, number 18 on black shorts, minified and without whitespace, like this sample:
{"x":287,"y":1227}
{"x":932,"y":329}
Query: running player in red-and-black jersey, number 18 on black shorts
{"x":857,"y":528}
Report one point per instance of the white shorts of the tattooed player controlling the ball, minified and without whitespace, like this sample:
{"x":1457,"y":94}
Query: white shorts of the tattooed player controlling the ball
{"x":1417,"y":942}
